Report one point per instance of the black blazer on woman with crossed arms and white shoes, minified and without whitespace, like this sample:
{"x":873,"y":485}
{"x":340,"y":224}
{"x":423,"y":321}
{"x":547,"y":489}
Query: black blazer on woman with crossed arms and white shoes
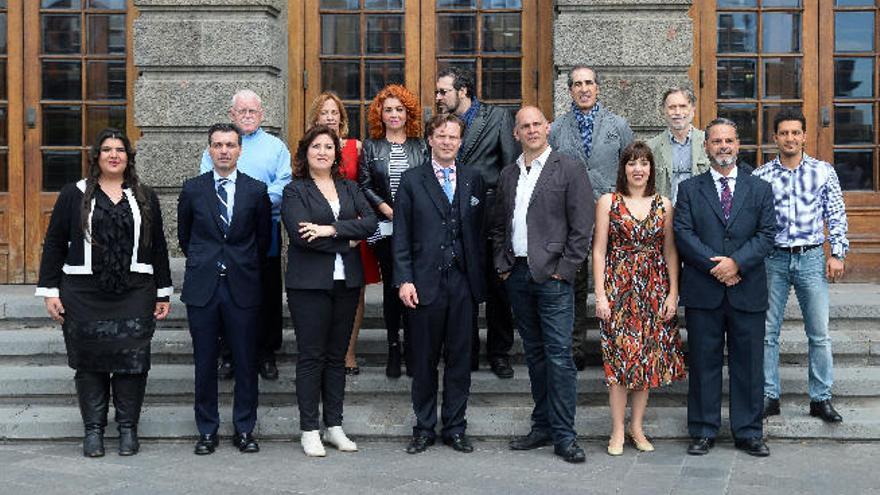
{"x":310,"y":264}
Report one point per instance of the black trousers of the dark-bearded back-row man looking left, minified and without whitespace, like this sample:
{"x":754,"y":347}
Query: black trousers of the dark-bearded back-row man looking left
{"x":499,"y":320}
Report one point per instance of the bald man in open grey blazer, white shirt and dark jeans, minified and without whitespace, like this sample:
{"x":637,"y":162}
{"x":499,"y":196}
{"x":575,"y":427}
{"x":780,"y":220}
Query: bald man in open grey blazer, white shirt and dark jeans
{"x":541,"y":230}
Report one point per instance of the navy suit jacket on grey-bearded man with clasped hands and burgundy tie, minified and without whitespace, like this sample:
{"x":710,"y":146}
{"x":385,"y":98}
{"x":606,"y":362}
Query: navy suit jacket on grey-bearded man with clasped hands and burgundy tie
{"x":747,"y":237}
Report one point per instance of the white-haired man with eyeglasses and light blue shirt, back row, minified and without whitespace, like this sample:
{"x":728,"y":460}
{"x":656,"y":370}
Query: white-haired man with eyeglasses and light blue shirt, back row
{"x":266,"y":158}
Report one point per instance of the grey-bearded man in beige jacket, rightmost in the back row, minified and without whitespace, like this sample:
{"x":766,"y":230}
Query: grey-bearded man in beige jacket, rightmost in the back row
{"x":678,"y":151}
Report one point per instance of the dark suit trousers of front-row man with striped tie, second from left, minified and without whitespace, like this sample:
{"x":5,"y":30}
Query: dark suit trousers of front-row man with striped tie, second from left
{"x":238,"y":327}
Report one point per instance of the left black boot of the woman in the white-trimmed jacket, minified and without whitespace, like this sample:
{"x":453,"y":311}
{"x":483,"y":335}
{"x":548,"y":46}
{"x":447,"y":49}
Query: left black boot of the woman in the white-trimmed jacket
{"x":93,"y":392}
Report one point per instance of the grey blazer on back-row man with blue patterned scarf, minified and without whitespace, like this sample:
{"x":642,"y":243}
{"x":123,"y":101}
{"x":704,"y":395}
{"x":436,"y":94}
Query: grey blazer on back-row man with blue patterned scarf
{"x":611,"y":134}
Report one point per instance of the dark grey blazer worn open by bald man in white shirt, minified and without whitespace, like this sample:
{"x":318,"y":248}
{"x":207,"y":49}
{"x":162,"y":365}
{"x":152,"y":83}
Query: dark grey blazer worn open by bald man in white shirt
{"x":559,"y":219}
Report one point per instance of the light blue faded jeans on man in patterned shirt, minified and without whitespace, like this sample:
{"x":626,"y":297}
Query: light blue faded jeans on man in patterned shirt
{"x":806,"y":273}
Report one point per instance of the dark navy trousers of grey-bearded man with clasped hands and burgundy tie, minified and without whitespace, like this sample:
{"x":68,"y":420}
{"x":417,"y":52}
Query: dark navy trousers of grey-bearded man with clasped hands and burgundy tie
{"x":744,"y":332}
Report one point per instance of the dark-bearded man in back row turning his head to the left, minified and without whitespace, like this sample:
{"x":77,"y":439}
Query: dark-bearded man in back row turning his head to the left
{"x":487,"y":146}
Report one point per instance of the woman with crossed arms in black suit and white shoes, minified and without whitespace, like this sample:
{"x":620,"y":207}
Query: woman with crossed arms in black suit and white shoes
{"x":324,"y":215}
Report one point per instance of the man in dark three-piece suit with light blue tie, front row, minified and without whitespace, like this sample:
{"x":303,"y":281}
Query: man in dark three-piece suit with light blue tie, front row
{"x":439,"y":269}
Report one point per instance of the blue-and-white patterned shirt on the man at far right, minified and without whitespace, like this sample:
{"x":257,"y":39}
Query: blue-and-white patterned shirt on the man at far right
{"x":807,"y":199}
